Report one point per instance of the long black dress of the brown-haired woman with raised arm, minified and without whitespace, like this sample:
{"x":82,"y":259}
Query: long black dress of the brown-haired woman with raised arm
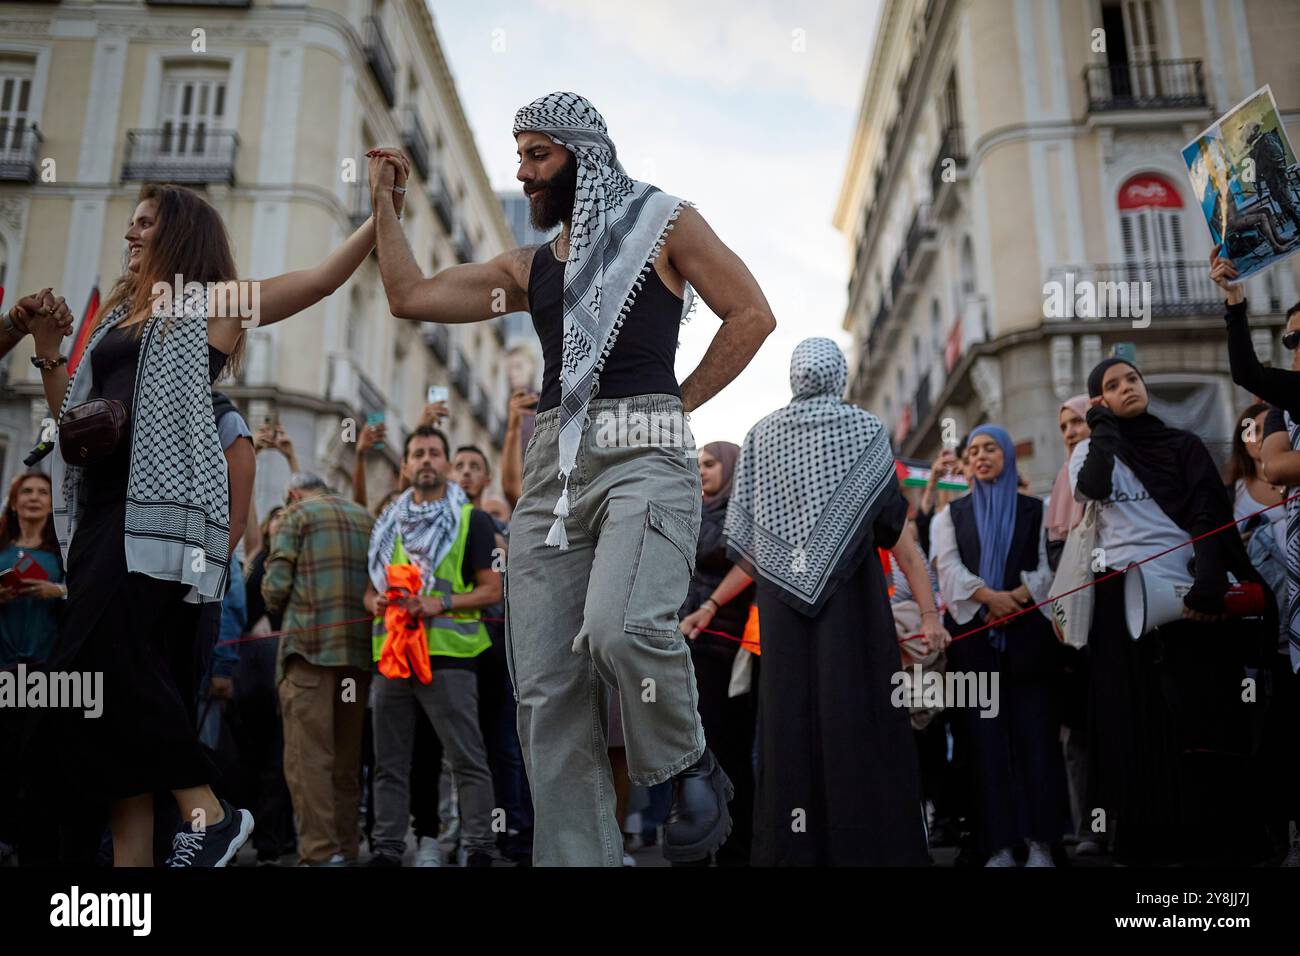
{"x":136,"y":630}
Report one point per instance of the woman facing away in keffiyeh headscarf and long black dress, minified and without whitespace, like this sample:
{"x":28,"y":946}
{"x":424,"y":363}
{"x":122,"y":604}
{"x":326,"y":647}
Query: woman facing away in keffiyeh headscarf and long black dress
{"x":814,"y":495}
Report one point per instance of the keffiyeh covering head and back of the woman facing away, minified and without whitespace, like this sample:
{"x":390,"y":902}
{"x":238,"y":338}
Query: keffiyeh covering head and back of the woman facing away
{"x":809,"y":477}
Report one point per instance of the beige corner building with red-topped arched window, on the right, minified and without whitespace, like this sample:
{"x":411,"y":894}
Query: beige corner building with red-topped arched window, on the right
{"x":1007,"y":145}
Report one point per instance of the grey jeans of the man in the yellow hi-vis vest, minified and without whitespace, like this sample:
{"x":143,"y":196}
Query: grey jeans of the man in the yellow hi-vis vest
{"x":452,"y":703}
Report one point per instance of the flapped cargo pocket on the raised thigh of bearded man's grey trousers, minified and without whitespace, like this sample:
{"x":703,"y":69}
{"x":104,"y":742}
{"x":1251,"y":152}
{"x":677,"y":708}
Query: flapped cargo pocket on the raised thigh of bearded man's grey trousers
{"x":661,"y":574}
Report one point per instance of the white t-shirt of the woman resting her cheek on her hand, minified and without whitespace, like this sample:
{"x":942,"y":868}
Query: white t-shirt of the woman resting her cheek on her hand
{"x":1130,"y":525}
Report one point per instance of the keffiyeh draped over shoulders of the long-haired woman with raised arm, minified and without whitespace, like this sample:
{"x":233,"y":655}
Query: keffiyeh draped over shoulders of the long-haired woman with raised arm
{"x":177,"y":501}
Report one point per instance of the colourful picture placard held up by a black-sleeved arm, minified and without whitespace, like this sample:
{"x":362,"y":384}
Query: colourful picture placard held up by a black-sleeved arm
{"x":1246,"y":178}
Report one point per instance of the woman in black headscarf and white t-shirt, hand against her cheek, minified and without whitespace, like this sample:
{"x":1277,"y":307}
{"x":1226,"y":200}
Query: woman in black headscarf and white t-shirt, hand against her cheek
{"x":1168,"y":726}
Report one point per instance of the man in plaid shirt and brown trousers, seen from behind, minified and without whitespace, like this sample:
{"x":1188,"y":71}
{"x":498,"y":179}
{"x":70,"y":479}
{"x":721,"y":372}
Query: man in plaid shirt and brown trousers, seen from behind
{"x":317,"y":576}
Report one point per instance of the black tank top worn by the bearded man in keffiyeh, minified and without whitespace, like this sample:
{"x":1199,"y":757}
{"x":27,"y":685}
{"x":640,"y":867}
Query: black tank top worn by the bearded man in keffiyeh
{"x":642,"y":362}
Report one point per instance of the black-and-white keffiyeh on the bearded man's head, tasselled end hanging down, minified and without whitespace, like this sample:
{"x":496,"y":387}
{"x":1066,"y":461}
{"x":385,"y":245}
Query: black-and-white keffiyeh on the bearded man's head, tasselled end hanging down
{"x":617,"y":232}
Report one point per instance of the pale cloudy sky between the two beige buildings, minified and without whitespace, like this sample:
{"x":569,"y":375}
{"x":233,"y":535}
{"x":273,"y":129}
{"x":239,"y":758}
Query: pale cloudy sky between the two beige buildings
{"x":713,"y":102}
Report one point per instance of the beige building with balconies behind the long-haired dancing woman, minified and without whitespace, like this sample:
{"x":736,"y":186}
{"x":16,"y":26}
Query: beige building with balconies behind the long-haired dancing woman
{"x":267,"y":109}
